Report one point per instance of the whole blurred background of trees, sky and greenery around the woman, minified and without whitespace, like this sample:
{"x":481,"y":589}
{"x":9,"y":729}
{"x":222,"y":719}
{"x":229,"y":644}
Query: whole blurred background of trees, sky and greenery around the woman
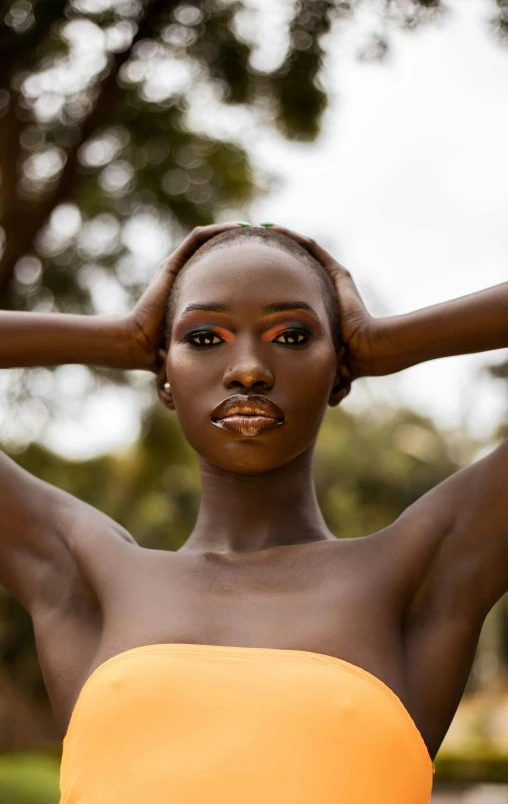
{"x":378,"y":127}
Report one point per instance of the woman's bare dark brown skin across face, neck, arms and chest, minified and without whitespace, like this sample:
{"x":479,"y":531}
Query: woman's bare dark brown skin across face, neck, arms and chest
{"x":261,"y":568}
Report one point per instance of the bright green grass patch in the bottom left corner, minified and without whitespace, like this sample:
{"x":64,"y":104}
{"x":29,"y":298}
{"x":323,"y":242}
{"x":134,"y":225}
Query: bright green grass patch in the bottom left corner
{"x":29,"y":779}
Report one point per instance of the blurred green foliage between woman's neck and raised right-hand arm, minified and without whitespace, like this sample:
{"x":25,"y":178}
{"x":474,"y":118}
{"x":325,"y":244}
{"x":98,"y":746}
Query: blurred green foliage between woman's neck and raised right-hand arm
{"x":369,"y":470}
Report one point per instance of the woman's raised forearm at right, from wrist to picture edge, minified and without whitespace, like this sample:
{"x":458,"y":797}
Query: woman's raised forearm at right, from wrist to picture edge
{"x":474,"y":323}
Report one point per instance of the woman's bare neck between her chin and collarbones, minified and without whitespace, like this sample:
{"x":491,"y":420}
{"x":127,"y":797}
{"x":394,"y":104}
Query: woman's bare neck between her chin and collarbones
{"x":242,"y":514}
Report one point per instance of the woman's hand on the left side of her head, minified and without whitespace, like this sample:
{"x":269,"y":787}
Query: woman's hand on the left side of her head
{"x":146,"y":321}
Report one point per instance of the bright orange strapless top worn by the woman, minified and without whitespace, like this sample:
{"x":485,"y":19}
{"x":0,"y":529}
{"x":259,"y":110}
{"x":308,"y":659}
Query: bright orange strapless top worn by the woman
{"x":188,"y":724}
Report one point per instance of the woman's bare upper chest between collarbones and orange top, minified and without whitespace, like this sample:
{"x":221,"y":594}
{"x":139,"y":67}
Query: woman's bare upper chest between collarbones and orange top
{"x":307,"y":599}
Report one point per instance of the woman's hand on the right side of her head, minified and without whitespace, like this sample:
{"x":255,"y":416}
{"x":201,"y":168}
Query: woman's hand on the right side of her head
{"x":360,"y":332}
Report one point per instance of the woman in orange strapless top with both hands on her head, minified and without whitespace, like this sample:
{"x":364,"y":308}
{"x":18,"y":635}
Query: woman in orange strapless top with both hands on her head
{"x":265,"y":660}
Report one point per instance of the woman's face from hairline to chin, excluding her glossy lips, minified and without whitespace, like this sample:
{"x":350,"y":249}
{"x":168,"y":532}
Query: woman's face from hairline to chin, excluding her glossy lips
{"x":248,"y":347}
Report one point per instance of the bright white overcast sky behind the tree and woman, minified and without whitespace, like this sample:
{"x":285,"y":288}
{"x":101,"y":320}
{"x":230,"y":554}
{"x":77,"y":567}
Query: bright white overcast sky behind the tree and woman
{"x":408,"y":187}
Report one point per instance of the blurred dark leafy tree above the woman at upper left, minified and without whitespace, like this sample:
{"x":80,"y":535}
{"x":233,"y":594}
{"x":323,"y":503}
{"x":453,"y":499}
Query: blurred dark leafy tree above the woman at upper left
{"x":110,"y":142}
